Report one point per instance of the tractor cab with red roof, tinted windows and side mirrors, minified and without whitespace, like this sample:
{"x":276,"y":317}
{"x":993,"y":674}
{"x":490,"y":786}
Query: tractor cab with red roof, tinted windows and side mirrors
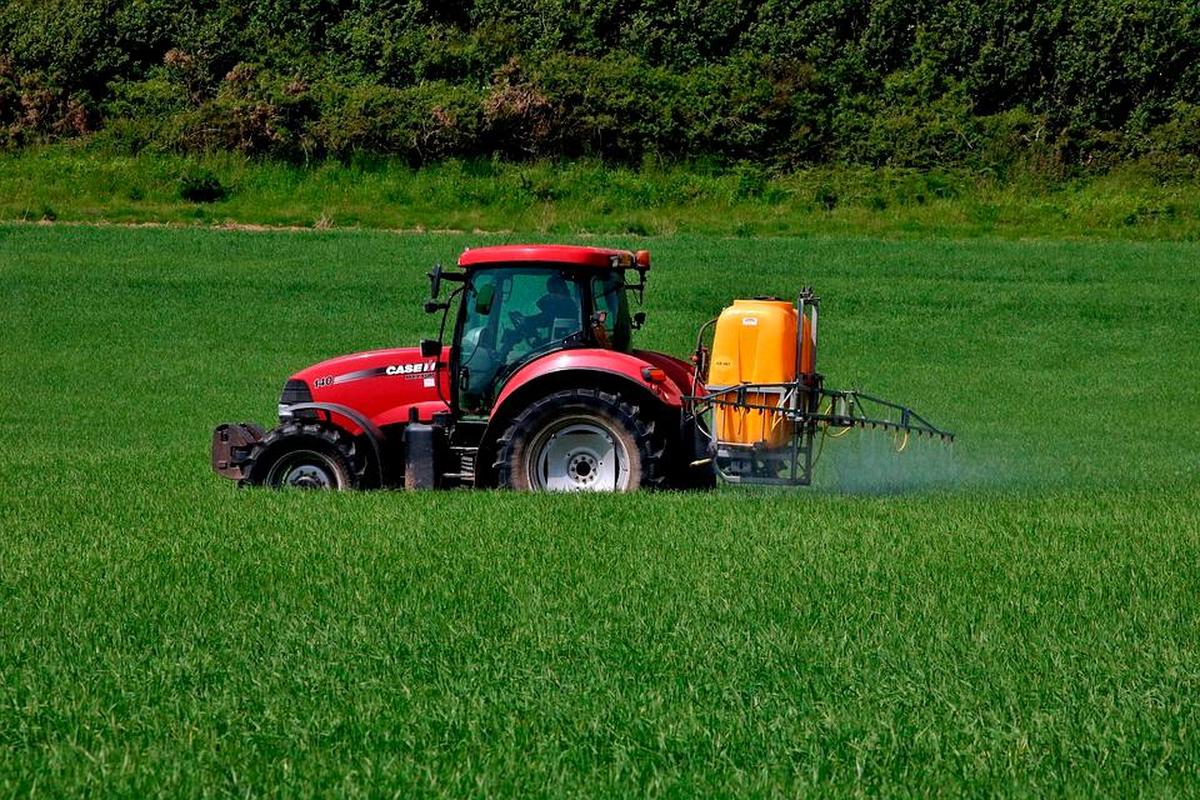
{"x":520,"y":303}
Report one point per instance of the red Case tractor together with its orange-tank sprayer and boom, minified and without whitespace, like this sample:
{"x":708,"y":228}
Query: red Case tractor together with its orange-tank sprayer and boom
{"x":542,"y":389}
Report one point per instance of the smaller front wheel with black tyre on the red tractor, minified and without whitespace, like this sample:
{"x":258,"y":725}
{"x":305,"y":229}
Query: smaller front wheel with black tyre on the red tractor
{"x":307,"y":455}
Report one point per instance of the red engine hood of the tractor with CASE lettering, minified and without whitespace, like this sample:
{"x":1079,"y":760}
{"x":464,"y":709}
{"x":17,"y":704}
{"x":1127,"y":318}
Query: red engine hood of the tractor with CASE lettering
{"x":382,"y":386}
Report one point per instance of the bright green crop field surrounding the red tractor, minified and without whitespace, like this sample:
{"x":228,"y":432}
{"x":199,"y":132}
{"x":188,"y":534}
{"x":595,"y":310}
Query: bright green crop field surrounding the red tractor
{"x":1027,"y":623}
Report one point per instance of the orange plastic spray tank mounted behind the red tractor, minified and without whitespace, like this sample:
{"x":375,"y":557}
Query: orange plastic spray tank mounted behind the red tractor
{"x":755,"y":344}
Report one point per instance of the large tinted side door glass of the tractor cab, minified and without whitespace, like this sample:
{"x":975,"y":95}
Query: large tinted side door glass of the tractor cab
{"x":509,"y":315}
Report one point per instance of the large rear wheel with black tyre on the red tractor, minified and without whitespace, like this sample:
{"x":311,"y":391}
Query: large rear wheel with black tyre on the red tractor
{"x":526,"y":447}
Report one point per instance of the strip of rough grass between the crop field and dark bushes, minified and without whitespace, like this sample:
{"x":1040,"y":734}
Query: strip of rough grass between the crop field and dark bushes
{"x":87,"y":183}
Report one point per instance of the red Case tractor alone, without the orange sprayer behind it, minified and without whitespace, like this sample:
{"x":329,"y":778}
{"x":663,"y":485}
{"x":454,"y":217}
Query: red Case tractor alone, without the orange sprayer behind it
{"x":541,"y":388}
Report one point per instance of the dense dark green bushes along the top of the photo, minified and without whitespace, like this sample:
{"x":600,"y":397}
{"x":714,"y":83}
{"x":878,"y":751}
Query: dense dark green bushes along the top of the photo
{"x":976,"y":83}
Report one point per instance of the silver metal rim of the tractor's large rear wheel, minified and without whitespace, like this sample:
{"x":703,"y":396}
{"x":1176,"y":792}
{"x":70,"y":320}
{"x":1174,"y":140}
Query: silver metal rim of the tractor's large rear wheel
{"x":578,"y":455}
